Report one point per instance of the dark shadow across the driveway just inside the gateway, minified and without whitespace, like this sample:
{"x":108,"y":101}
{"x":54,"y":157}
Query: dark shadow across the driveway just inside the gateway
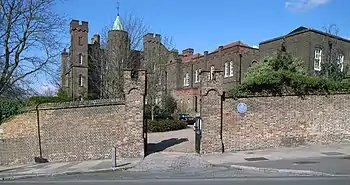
{"x":157,"y":147}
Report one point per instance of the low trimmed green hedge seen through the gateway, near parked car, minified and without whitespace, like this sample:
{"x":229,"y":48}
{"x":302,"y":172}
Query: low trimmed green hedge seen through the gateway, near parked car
{"x":164,"y":125}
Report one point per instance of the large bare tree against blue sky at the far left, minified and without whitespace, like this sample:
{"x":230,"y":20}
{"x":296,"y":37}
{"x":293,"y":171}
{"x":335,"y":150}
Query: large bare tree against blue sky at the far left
{"x":29,"y":36}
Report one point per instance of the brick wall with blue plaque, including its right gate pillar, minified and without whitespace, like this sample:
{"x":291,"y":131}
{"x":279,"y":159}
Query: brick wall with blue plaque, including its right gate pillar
{"x":270,"y":122}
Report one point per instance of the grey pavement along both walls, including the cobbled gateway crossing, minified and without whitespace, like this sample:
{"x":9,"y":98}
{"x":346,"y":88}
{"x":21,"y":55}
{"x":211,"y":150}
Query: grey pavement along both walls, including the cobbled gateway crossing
{"x":330,"y":160}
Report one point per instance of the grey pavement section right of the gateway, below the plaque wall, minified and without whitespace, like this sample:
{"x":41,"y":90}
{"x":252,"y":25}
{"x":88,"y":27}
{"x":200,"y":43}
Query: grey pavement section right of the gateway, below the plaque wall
{"x":317,"y":160}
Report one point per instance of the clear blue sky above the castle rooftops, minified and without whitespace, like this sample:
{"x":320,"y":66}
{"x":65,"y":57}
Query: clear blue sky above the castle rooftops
{"x":206,"y":24}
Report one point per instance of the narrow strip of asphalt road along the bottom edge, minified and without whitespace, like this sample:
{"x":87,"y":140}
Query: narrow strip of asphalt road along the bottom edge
{"x":222,"y":181}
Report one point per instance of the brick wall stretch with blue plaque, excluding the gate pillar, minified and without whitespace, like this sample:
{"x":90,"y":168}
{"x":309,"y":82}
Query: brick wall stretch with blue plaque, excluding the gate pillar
{"x":287,"y":121}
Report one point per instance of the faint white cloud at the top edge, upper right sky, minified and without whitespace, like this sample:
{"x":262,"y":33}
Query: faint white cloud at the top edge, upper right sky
{"x":304,"y":5}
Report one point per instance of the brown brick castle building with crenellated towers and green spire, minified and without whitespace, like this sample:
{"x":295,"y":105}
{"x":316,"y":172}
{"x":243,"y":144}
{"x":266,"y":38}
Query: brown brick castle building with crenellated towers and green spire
{"x":90,"y":71}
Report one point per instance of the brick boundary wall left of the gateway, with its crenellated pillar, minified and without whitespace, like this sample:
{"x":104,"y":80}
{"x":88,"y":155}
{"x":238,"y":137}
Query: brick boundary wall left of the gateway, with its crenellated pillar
{"x":75,"y":131}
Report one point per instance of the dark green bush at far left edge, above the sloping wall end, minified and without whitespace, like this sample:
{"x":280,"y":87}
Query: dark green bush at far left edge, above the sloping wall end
{"x":9,"y":109}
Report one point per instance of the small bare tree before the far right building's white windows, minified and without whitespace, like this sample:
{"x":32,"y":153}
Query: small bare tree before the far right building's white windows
{"x":333,"y":65}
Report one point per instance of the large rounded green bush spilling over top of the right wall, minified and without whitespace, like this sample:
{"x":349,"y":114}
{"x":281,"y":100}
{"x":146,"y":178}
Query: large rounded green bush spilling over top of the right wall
{"x":282,"y":74}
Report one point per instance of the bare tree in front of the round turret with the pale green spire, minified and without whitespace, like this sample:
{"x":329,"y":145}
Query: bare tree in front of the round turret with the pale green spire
{"x":107,"y":77}
